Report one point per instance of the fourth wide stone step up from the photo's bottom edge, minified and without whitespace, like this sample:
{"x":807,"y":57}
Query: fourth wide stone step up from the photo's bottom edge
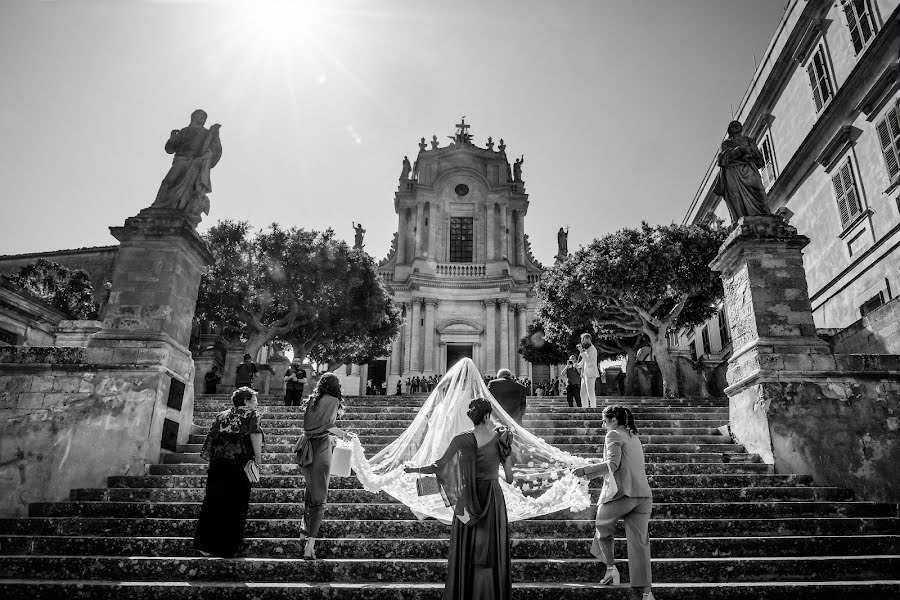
{"x":412,"y":528}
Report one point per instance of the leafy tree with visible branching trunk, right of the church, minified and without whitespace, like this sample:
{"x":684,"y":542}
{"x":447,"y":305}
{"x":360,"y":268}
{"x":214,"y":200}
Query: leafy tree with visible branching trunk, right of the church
{"x":644,"y":281}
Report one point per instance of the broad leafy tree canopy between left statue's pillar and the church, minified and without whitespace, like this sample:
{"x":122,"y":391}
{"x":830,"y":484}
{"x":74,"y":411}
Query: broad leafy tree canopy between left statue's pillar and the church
{"x":304,"y":287}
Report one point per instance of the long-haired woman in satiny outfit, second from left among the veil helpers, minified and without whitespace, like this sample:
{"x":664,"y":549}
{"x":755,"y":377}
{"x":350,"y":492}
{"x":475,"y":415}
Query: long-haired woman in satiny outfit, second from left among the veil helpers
{"x":314,"y":454}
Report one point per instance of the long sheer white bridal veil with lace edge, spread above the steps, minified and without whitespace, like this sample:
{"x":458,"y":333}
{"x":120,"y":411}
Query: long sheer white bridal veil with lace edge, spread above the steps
{"x":543,"y":482}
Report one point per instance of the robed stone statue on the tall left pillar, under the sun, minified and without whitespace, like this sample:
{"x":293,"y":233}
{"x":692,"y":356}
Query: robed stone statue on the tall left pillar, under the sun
{"x":197,"y":150}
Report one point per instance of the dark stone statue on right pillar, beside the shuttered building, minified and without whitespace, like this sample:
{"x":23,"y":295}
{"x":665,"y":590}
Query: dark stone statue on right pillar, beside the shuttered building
{"x":739,"y":182}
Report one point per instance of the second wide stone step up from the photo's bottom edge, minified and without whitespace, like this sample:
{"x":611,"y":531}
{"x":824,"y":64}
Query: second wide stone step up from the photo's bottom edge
{"x":435,"y":570}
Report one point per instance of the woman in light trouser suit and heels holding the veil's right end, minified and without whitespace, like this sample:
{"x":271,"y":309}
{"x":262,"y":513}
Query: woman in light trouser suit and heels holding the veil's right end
{"x":624,"y":457}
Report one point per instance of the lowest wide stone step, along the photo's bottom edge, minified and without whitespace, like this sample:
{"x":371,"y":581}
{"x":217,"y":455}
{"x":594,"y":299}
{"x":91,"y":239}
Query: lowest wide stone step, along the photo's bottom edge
{"x":15,"y":589}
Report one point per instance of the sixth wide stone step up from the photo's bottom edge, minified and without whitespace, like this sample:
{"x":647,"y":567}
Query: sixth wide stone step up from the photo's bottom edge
{"x":275,"y":495}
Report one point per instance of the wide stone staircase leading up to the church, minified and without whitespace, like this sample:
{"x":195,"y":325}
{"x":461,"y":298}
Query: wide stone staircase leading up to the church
{"x":724,"y":524}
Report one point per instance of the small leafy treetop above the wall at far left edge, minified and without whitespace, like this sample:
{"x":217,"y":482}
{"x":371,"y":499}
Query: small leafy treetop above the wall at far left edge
{"x":68,"y":290}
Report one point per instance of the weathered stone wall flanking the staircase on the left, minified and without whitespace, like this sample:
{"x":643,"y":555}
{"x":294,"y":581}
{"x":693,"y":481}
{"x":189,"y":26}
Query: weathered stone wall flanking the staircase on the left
{"x":68,"y":420}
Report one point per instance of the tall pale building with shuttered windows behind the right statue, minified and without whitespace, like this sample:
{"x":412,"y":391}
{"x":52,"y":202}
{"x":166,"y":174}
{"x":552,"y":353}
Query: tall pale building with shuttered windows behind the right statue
{"x":824,"y":109}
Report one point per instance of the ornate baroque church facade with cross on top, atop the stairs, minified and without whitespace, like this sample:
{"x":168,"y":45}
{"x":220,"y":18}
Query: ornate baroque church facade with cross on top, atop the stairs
{"x":460,"y":266}
